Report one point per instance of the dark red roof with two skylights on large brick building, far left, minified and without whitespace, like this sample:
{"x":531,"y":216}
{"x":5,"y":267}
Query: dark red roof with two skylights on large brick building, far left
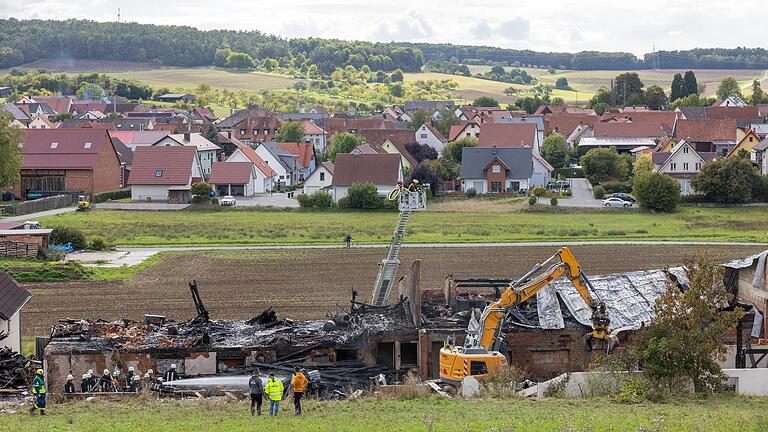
{"x":71,"y":150}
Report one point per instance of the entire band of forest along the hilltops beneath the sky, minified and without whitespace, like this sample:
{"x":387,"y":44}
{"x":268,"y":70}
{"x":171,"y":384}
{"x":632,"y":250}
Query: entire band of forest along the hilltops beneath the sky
{"x":24,"y":41}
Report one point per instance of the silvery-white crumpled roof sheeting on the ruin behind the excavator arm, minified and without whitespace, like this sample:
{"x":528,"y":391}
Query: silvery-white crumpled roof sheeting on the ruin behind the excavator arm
{"x":629,"y":297}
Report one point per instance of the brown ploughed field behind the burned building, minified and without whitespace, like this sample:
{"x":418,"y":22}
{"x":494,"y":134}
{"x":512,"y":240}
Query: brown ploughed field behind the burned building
{"x":306,"y":284}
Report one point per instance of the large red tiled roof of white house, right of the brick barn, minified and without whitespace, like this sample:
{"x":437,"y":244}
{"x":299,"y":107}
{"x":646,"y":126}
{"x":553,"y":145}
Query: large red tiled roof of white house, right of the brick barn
{"x":174,"y":163}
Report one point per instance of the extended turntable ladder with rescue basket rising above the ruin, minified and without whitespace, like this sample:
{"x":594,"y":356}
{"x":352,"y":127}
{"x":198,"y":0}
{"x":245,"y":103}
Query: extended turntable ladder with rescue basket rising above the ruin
{"x":408,"y":202}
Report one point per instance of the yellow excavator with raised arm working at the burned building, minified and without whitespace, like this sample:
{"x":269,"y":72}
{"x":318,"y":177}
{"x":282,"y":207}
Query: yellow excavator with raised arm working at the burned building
{"x":480,"y":354}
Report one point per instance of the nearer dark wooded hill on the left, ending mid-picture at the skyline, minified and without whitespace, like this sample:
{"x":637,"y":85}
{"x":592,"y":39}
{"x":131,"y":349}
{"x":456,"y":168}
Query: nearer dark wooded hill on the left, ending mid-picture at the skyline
{"x":187,"y":46}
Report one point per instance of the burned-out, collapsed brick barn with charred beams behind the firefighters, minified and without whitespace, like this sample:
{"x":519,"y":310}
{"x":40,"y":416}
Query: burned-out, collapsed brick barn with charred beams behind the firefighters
{"x":543,"y":337}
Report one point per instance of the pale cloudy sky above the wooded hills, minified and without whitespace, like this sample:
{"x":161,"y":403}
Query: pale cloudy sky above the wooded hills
{"x":561,"y":25}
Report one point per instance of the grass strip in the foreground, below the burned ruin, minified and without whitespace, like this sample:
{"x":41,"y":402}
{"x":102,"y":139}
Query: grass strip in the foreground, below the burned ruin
{"x":430,"y":414}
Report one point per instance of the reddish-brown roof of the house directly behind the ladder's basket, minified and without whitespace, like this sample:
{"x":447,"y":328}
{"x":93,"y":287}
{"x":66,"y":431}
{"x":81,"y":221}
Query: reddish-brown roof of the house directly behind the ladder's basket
{"x":379,"y":169}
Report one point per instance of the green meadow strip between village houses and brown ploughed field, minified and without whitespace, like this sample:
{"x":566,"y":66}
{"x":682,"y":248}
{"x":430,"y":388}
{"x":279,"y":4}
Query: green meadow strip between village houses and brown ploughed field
{"x":290,"y":227}
